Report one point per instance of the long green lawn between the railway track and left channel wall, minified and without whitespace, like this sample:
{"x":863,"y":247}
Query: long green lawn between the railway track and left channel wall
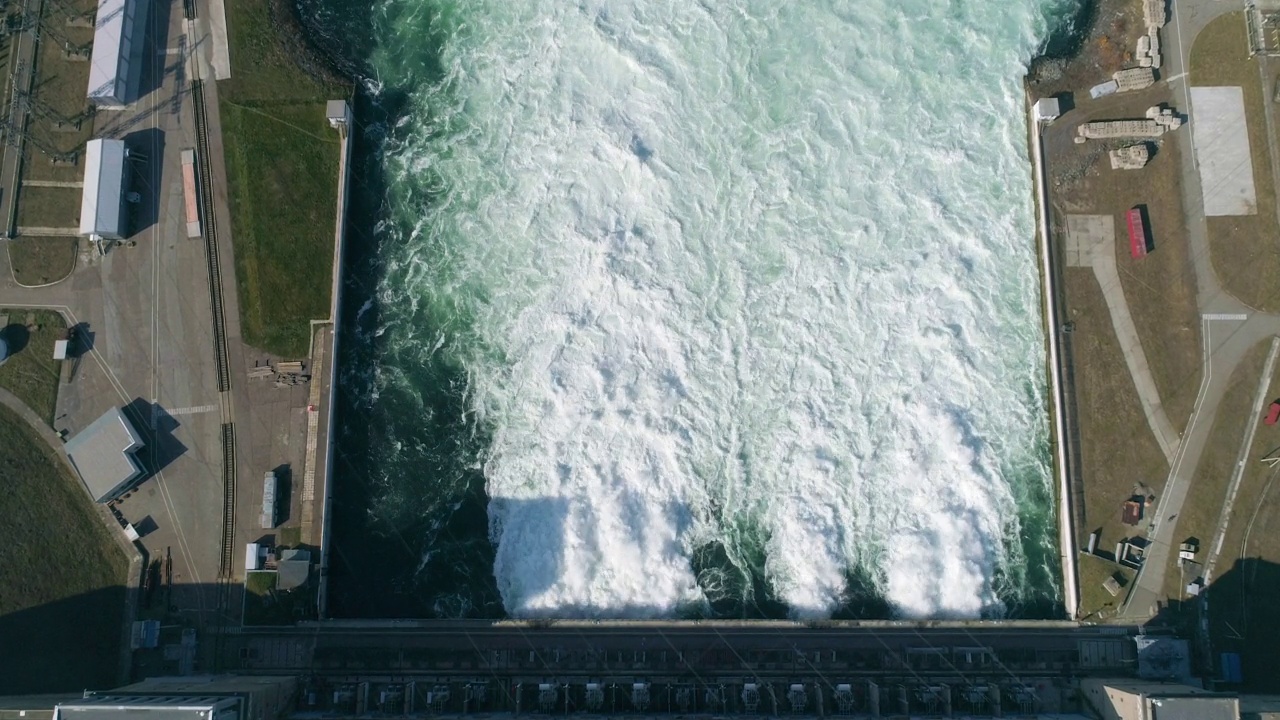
{"x":282,"y":167}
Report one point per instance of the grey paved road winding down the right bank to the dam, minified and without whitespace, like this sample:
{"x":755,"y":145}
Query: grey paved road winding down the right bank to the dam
{"x":1229,"y":329}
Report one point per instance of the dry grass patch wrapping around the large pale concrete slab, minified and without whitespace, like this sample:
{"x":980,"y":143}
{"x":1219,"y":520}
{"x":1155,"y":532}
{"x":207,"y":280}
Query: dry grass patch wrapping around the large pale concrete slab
{"x":1245,"y":249}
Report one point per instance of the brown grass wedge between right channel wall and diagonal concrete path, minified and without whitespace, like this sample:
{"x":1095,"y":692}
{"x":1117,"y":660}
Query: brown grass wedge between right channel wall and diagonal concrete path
{"x":1118,"y":446}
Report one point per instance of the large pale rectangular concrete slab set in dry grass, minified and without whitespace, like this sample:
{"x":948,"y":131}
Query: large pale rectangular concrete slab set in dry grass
{"x":1223,"y":152}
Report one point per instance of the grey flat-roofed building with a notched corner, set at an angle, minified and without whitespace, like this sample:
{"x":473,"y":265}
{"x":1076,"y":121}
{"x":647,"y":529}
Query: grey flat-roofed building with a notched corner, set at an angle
{"x":103,"y":455}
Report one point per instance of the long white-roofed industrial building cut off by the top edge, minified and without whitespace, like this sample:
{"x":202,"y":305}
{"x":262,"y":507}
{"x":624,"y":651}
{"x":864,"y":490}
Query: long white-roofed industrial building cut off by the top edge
{"x":116,"y":66}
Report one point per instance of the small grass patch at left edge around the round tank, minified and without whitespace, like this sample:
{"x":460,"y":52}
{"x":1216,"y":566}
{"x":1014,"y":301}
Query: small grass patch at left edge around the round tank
{"x":31,"y":373}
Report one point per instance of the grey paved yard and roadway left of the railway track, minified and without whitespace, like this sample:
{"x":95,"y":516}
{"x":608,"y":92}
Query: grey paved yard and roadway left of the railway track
{"x":147,"y":312}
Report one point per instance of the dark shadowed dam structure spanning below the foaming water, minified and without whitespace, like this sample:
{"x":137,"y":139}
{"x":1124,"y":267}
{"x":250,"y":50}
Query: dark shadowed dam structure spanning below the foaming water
{"x":975,"y":669}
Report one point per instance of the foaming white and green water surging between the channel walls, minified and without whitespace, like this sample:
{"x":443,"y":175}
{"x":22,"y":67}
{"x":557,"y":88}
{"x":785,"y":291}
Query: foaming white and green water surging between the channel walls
{"x":757,"y":274}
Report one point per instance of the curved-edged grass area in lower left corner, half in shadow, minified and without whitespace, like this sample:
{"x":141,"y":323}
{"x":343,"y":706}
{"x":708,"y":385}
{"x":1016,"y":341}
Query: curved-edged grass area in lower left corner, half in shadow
{"x":62,"y":577}
